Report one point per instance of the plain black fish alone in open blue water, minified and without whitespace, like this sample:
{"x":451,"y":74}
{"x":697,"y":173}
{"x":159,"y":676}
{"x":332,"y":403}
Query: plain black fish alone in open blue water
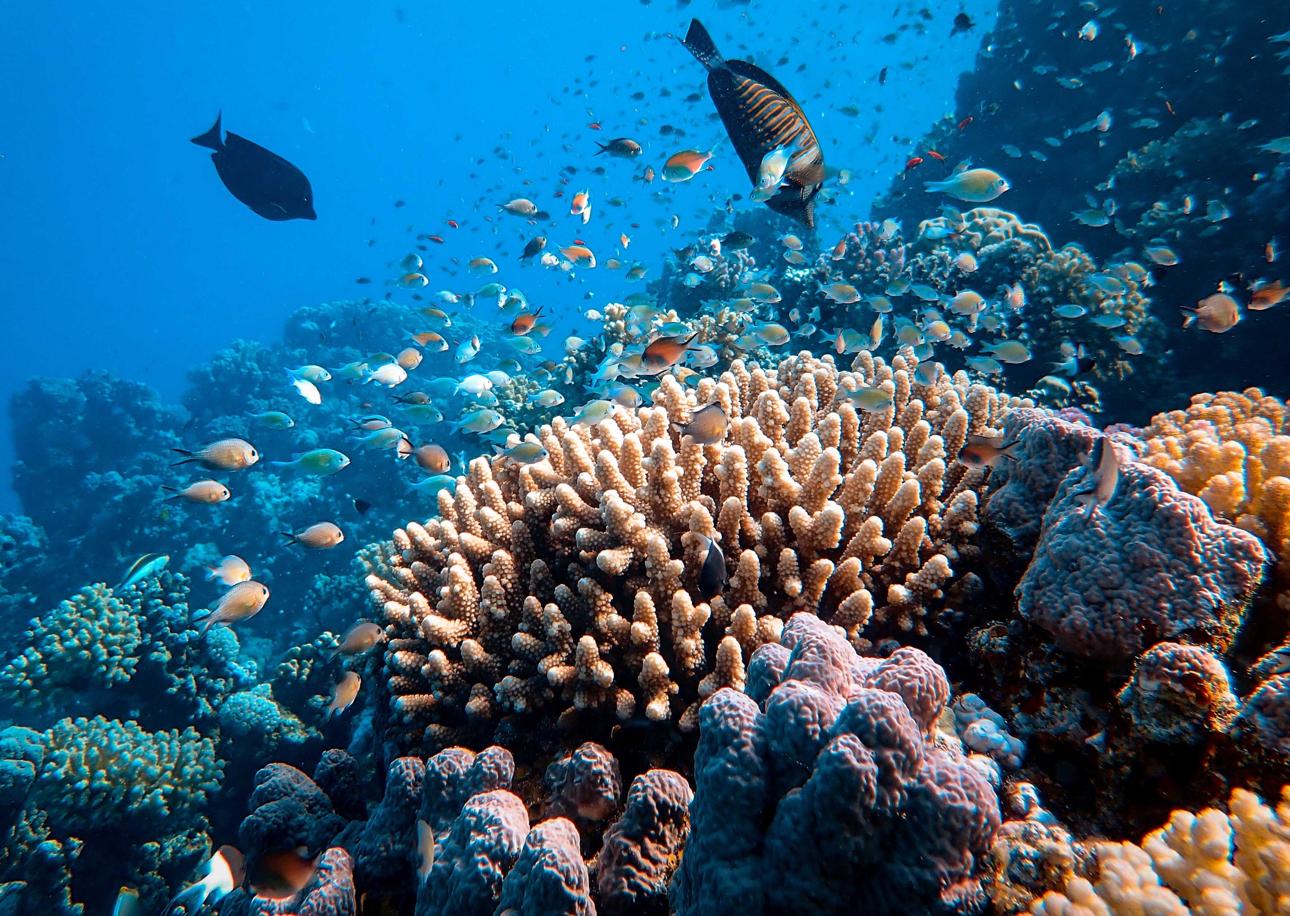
{"x":266,"y":183}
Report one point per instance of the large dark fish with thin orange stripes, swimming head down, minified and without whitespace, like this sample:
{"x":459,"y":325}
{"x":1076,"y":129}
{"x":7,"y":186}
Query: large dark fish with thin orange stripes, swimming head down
{"x":760,"y":115}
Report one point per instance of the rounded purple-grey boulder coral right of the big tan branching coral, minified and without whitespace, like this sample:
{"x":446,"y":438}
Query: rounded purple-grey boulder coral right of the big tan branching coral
{"x":1151,"y":564}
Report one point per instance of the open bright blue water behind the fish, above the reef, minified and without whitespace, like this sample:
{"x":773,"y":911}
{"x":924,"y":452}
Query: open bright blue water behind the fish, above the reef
{"x":122,"y":251}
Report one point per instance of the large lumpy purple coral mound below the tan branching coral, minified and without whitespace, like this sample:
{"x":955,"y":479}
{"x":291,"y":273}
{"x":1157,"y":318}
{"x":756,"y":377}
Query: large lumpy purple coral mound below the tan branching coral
{"x":830,"y":798}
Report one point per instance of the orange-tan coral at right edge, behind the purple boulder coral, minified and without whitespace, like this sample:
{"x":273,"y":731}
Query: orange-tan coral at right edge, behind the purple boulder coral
{"x":1233,"y":450}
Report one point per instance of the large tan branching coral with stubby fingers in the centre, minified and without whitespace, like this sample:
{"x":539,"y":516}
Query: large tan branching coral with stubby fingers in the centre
{"x":571,"y":586}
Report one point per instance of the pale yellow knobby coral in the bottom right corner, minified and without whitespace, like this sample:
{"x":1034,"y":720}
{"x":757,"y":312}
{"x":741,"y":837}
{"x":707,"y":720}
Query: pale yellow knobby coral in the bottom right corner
{"x":1208,"y":864}
